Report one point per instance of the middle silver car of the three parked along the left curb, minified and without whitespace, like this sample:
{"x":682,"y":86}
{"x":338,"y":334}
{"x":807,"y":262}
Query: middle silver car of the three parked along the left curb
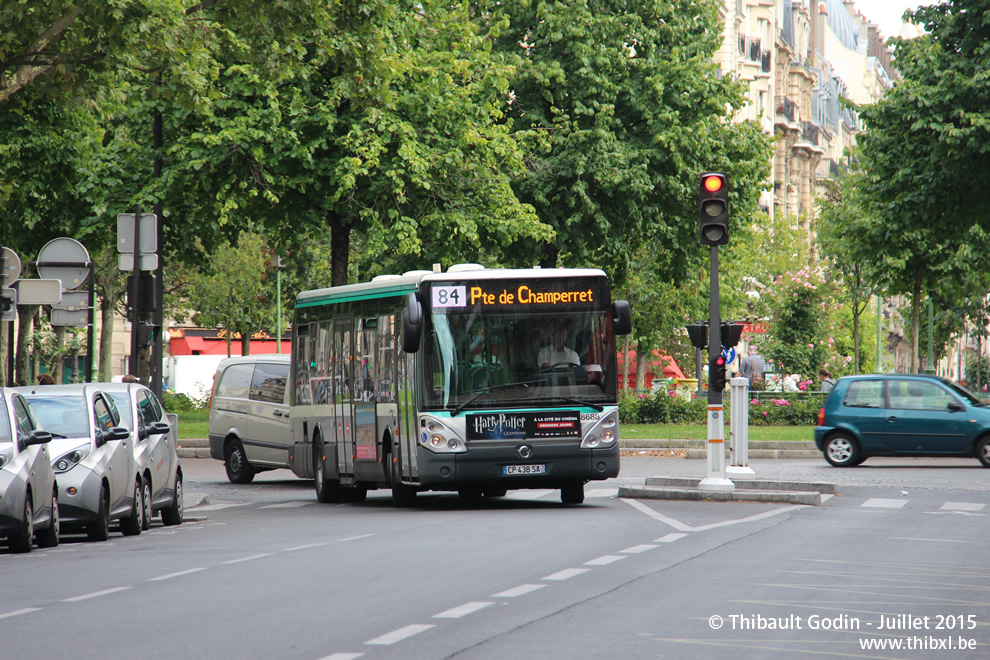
{"x":92,"y":457}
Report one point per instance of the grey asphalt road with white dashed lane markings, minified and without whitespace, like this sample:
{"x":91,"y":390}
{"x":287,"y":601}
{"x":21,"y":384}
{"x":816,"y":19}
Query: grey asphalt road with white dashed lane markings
{"x":263,"y":571}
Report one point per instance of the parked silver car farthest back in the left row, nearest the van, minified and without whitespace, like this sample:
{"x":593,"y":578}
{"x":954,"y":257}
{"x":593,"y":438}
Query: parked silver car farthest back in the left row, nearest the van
{"x":155,"y":451}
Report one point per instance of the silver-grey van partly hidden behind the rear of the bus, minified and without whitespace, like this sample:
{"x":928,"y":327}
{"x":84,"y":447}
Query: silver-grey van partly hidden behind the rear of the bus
{"x":249,"y":415}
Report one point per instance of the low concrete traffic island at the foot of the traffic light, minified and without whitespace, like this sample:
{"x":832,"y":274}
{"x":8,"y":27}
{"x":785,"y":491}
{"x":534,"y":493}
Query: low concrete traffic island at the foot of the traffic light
{"x":750,"y":490}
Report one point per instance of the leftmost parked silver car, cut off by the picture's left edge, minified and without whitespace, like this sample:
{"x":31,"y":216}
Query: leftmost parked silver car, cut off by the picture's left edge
{"x":28,"y":491}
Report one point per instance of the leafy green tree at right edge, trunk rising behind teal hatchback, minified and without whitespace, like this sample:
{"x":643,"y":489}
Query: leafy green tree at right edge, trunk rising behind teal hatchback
{"x":925,"y":227}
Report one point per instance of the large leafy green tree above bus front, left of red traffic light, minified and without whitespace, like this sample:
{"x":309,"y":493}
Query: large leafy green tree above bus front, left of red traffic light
{"x":621,"y":107}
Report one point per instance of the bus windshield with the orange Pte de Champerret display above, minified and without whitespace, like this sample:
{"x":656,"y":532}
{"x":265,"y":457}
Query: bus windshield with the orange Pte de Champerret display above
{"x":553,"y":348}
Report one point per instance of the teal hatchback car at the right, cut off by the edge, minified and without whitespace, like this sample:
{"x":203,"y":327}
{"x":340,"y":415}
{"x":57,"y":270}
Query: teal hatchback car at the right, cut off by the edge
{"x":901,"y":415}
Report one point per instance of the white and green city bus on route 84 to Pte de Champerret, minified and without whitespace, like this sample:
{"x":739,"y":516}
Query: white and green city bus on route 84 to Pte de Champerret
{"x":474,"y":380}
